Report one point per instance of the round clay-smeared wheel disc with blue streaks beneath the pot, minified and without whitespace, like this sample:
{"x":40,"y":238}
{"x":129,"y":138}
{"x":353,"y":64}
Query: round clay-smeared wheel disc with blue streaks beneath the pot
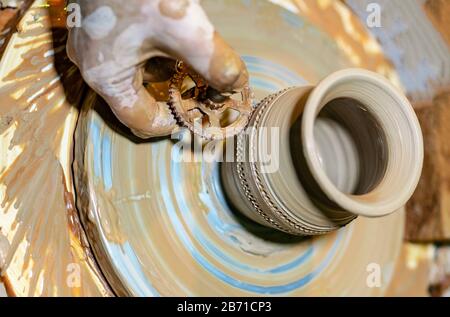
{"x":162,"y":227}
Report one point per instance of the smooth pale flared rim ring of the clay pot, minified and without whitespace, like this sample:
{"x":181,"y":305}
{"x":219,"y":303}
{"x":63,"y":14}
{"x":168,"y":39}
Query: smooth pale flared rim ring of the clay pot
{"x":356,"y":203}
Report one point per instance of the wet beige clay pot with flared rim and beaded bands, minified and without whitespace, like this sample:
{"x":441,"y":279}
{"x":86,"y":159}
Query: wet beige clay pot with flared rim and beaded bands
{"x":350,"y":146}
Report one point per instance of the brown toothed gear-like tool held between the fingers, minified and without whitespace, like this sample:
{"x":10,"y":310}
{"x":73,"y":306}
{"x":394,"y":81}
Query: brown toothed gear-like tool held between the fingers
{"x":205,"y":111}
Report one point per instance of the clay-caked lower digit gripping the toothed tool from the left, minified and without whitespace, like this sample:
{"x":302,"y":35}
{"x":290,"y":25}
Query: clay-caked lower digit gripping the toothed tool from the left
{"x":110,"y":59}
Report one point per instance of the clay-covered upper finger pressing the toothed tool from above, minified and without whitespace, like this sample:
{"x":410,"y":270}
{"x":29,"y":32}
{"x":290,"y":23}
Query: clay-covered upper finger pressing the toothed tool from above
{"x":187,"y":33}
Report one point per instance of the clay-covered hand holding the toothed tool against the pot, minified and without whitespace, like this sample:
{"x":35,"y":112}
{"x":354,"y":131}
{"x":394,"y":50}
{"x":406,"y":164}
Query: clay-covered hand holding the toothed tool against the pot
{"x":117,"y":38}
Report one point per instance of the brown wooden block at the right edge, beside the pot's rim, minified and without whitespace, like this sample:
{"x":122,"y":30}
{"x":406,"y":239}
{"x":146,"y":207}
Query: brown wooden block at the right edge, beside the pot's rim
{"x":428,"y":216}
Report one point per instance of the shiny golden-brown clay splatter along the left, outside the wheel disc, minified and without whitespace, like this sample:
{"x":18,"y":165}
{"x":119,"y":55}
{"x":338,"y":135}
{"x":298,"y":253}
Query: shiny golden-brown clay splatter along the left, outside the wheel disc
{"x":46,"y":242}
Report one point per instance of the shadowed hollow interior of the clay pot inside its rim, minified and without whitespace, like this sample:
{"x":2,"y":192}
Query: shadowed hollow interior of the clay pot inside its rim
{"x":351,"y":146}
